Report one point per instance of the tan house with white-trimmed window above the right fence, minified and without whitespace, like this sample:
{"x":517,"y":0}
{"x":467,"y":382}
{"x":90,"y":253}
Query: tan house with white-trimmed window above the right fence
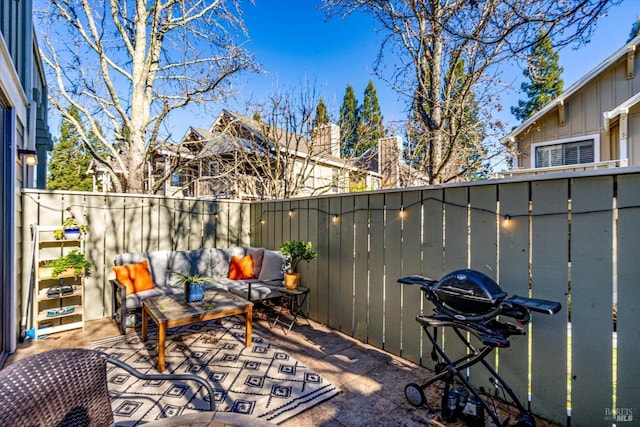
{"x":595,"y":123}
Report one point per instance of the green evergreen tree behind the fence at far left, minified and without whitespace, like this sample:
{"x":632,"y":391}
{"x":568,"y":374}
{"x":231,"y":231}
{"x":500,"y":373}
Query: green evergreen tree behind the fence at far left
{"x":69,"y":160}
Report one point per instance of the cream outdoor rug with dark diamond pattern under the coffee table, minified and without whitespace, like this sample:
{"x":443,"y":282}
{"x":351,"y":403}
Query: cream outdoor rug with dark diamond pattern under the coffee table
{"x":261,"y":381}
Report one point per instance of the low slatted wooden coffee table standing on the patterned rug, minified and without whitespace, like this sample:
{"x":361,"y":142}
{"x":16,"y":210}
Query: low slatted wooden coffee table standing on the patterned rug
{"x":172,"y":310}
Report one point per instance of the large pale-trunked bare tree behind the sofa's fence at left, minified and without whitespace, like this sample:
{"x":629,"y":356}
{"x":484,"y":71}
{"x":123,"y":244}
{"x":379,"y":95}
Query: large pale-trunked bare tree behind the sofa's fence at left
{"x":126,"y":65}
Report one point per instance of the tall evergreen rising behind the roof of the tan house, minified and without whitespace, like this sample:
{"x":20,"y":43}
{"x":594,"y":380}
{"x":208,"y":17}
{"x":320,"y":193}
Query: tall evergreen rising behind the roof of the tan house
{"x":544,"y":79}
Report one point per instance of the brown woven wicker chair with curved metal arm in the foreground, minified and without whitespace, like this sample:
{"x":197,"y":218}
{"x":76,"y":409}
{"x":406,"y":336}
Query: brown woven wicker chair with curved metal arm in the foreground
{"x":66,"y":387}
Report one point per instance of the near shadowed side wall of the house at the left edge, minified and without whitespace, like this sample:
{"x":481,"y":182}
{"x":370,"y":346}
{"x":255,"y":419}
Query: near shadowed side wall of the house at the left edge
{"x":16,"y":67}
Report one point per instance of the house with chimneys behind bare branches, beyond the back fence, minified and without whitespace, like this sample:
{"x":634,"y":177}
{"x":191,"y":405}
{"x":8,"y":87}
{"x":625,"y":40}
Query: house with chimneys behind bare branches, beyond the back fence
{"x":236,"y":158}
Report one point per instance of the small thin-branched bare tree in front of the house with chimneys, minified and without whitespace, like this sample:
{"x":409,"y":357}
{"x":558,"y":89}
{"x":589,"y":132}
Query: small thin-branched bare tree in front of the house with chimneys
{"x":286,"y":154}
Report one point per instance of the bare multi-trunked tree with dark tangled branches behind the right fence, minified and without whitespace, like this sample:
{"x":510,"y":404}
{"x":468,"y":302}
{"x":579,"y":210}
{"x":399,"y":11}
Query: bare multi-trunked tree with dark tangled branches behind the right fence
{"x":428,"y":42}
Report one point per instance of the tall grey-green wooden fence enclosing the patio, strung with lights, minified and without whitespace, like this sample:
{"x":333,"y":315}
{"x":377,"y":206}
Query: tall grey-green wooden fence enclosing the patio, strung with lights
{"x":570,"y":238}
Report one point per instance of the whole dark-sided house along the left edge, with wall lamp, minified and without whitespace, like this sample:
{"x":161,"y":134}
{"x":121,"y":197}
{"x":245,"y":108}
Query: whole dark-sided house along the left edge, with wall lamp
{"x":23,"y":126}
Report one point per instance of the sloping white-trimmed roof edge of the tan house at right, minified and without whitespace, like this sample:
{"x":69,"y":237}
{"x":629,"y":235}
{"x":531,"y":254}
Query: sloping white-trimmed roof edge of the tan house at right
{"x":549,"y":106}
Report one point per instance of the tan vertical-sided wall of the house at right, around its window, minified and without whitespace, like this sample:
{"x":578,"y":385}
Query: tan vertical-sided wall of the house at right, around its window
{"x":583,"y":113}
